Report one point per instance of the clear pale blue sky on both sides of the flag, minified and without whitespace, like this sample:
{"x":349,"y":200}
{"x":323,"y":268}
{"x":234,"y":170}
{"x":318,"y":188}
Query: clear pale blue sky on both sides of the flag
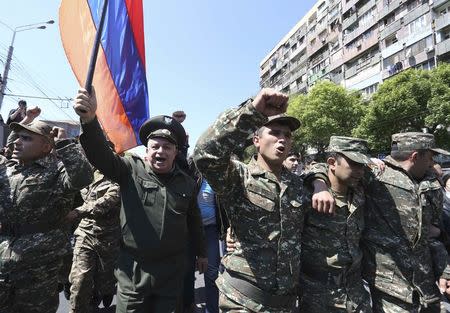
{"x":202,"y":56}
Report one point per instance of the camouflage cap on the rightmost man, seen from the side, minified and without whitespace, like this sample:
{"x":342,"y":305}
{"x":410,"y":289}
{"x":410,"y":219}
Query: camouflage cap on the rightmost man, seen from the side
{"x":411,"y":141}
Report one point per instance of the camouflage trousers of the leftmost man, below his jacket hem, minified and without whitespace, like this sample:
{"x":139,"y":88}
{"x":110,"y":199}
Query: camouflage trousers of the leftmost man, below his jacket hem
{"x":30,"y":290}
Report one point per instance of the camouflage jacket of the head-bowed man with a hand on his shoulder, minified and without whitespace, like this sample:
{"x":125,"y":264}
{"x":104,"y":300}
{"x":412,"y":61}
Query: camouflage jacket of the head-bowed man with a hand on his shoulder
{"x":332,"y":243}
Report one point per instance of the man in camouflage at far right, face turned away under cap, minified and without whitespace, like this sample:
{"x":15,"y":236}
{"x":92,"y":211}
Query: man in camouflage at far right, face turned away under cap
{"x":402,"y":259}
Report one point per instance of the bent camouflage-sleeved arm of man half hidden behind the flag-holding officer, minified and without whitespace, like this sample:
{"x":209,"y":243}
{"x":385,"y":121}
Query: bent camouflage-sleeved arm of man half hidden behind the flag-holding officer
{"x":107,"y":203}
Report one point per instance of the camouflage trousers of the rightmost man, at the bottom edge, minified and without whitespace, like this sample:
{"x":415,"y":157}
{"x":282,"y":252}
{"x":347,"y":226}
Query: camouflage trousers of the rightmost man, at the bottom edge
{"x":384,"y":303}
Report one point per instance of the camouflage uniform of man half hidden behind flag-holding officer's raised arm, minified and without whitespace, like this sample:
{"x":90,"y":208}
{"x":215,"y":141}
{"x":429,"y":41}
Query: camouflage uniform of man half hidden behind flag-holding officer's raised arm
{"x":97,"y":244}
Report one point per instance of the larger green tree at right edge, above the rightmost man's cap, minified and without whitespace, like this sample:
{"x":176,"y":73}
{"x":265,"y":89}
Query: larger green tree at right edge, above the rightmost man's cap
{"x":410,"y":101}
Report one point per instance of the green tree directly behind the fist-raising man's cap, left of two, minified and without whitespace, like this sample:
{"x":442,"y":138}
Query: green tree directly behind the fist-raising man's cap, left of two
{"x":328,"y":109}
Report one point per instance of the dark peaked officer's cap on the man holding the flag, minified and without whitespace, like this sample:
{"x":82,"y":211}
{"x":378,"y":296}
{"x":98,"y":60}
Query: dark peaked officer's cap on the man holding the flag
{"x":153,"y":127}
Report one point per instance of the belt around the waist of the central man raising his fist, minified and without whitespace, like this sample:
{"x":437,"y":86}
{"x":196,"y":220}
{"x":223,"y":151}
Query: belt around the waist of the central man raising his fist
{"x":260,"y":296}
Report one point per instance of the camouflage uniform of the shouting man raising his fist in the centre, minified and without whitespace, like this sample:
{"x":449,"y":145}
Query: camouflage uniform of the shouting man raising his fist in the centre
{"x":266,"y":216}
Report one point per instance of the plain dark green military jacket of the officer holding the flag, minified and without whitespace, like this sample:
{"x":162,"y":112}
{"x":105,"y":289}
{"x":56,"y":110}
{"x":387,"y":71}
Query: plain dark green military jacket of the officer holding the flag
{"x":156,"y":214}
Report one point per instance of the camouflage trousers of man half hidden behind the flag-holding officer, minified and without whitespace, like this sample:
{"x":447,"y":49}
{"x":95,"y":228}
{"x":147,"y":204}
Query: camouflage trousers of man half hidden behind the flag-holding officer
{"x":92,"y":273}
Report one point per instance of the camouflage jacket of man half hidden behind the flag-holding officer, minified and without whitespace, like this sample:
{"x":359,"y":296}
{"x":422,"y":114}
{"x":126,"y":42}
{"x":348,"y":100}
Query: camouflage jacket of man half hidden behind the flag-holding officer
{"x":100,"y":211}
